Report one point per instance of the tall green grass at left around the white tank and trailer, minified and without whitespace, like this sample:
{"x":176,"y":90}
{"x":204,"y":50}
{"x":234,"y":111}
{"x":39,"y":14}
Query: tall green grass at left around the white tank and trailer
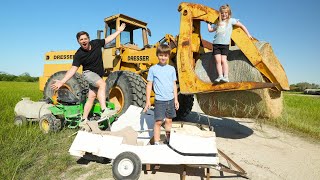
{"x":25,"y":152}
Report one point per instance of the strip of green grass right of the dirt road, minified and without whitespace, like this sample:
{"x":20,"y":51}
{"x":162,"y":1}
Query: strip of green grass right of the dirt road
{"x":301,"y":114}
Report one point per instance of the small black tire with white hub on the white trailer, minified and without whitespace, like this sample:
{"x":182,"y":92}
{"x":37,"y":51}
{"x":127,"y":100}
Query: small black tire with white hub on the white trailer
{"x":126,"y":165}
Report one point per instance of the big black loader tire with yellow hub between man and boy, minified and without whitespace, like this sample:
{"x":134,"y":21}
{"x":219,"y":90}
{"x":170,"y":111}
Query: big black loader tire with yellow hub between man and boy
{"x":128,"y":88}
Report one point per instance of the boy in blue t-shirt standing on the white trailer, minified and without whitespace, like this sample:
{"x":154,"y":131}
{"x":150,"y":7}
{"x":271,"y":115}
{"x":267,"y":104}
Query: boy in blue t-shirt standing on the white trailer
{"x":163,"y":78}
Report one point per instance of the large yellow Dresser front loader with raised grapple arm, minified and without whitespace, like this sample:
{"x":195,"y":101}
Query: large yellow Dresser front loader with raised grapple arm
{"x":128,"y":58}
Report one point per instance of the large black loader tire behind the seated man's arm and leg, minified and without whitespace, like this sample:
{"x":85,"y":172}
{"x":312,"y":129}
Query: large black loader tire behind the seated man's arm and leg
{"x":76,"y":84}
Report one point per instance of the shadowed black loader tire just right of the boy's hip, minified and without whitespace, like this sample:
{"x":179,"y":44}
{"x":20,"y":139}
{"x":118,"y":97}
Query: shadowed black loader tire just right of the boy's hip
{"x":185,"y":106}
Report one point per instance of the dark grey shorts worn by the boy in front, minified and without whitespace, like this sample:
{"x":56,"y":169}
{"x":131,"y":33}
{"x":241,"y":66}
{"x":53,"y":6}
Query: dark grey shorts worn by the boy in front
{"x":164,"y":109}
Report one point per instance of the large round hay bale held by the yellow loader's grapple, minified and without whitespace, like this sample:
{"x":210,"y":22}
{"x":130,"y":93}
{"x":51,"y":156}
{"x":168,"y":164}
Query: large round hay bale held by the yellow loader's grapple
{"x":263,"y":103}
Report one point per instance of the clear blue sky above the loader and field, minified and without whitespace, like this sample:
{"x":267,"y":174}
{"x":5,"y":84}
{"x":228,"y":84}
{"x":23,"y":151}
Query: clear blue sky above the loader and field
{"x":31,"y":28}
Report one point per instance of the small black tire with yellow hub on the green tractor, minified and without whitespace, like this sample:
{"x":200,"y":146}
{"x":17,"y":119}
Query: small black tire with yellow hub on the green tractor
{"x":49,"y":123}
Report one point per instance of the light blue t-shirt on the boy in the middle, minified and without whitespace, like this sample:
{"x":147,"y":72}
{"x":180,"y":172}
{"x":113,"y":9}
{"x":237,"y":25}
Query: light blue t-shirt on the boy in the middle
{"x":163,"y":78}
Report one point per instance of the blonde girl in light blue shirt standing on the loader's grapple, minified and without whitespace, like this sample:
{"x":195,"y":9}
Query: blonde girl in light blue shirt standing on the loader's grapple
{"x":222,"y":40}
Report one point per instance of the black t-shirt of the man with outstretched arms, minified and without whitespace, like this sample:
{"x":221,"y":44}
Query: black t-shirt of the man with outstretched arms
{"x":91,"y":60}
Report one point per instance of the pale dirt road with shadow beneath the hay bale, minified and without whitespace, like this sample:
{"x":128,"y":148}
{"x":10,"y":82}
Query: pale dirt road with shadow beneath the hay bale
{"x":263,"y":152}
